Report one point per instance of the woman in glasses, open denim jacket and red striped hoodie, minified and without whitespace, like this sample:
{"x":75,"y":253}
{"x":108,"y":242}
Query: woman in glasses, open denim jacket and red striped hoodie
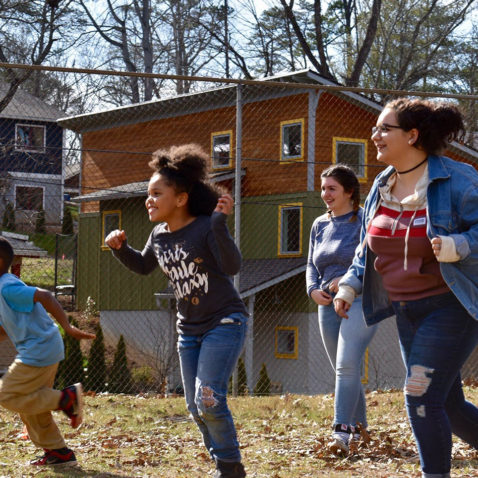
{"x":419,"y":262}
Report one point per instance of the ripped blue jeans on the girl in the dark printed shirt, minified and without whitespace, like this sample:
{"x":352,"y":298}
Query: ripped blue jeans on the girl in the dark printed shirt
{"x":207,"y":362}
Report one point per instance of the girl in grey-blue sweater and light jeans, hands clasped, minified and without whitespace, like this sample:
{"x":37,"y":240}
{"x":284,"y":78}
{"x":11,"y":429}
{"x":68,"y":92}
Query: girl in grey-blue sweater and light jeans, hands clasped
{"x":334,"y":237}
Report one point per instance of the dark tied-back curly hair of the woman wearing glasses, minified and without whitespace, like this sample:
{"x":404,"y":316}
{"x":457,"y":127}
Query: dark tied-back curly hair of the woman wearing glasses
{"x":438,"y":123}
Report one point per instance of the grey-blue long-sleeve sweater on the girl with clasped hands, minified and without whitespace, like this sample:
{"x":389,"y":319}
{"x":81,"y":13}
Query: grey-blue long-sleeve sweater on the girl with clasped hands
{"x":331,"y":248}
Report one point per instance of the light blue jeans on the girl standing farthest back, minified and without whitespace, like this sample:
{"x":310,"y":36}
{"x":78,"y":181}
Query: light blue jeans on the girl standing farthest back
{"x":345,"y":341}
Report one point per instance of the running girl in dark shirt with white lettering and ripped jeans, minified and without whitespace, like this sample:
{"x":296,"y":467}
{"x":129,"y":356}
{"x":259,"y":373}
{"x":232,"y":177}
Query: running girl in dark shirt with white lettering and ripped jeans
{"x":193,"y":247}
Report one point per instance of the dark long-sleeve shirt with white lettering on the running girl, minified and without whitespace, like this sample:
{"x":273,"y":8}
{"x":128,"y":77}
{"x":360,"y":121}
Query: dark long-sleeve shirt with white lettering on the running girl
{"x":198,"y":260}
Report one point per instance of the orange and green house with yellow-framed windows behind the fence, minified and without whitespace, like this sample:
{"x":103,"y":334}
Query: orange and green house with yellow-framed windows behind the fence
{"x":276,"y":137}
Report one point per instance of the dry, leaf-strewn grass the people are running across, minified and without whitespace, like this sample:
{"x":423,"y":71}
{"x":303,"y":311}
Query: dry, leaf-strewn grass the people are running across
{"x":281,"y":437}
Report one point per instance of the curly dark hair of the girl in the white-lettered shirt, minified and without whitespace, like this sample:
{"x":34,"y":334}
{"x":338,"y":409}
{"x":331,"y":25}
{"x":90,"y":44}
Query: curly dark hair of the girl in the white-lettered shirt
{"x":185,"y":168}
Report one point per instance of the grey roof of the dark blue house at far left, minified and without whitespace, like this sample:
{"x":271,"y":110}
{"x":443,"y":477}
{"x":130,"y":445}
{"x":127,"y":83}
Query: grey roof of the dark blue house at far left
{"x":25,"y":106}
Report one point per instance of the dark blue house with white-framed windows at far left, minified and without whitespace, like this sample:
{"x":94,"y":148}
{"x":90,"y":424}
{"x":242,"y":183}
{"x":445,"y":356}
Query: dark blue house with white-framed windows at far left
{"x":31,"y":160}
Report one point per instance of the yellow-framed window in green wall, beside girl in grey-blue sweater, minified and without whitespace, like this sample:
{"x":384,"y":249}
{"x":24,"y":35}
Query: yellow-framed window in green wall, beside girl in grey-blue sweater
{"x":290,"y":230}
